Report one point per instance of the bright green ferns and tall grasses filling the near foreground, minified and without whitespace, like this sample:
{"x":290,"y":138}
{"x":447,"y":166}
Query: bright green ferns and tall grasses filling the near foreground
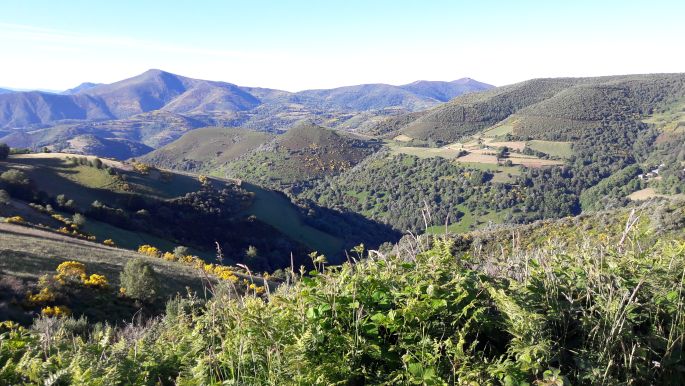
{"x":592,"y":300}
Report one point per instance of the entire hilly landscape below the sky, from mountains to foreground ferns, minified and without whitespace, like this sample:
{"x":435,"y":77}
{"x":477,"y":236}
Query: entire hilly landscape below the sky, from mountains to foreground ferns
{"x":359,"y":214}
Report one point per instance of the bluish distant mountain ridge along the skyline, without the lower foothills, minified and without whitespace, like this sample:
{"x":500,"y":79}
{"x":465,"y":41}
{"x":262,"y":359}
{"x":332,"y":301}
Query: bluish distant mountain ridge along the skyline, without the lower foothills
{"x":160,"y":90}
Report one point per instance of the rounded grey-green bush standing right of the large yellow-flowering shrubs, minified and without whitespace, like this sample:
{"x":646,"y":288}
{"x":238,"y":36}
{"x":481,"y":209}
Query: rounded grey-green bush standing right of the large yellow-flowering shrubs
{"x":139,"y":280}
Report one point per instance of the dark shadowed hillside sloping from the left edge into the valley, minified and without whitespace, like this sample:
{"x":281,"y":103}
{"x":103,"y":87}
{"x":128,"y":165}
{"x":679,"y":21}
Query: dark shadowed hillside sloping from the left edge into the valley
{"x":133,"y":204}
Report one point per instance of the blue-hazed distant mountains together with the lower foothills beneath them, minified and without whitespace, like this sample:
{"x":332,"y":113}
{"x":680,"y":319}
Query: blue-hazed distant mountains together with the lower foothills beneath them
{"x":147,"y":100}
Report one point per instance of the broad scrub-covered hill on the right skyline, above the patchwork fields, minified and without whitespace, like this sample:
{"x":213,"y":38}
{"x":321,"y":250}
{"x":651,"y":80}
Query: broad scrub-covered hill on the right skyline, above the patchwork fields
{"x":544,"y":108}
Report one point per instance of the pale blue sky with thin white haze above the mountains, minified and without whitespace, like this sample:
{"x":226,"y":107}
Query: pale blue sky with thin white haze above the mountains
{"x":296,"y":45}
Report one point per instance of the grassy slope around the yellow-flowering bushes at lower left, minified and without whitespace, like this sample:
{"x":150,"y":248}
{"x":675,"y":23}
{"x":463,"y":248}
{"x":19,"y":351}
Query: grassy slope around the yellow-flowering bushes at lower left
{"x":26,"y":254}
